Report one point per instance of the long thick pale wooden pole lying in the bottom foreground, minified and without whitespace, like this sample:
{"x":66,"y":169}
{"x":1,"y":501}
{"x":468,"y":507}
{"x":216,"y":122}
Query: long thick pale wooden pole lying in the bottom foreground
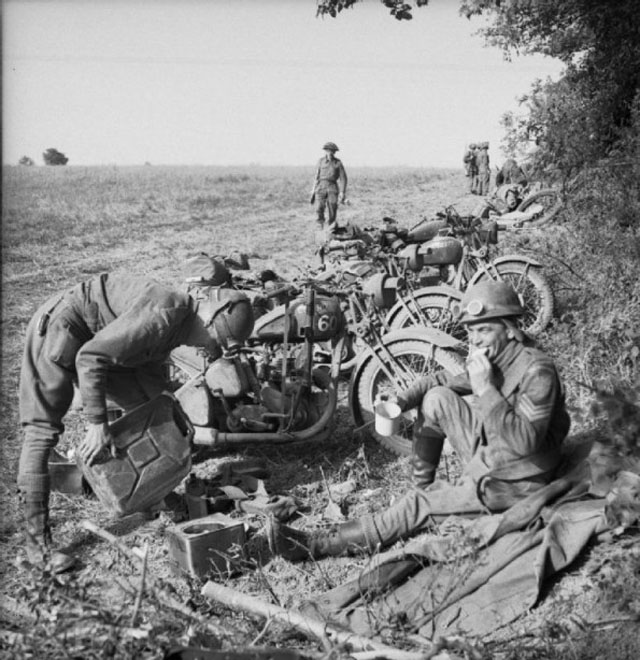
{"x":236,"y":600}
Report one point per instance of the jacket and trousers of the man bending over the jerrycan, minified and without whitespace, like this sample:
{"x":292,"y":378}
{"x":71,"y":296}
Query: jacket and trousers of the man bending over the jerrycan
{"x":111,"y":335}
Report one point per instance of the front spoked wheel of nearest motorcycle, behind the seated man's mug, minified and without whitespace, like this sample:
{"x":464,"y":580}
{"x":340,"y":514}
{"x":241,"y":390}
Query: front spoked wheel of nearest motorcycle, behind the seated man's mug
{"x":417,"y":355}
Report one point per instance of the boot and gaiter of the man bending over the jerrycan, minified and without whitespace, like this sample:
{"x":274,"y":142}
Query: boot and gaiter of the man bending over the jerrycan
{"x":38,"y":545}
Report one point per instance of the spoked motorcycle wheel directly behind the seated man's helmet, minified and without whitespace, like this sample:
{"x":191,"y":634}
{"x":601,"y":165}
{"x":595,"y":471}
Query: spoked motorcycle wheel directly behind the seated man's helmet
{"x":533,"y":287}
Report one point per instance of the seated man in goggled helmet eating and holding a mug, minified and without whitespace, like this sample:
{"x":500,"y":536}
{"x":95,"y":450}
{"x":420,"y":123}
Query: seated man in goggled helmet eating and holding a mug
{"x":508,"y":436}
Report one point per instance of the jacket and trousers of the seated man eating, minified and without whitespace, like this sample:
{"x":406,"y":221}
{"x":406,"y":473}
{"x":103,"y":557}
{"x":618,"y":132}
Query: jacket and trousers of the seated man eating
{"x":509,"y":440}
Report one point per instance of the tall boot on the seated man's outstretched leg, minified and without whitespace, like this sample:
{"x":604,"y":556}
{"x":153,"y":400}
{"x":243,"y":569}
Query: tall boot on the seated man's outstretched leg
{"x":296,"y":545}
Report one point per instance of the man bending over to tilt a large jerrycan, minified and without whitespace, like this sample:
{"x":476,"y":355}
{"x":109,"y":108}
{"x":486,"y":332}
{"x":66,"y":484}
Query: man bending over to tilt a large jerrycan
{"x":110,"y":336}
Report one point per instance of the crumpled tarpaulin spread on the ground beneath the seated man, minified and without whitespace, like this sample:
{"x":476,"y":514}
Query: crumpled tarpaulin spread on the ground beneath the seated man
{"x":482,"y":573}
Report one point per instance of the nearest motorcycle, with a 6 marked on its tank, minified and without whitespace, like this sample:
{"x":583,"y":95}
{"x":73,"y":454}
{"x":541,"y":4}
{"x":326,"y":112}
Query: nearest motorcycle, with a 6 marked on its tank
{"x":281,"y":385}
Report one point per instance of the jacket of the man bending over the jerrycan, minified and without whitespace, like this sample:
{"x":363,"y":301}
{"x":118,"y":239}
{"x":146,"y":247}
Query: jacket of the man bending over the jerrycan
{"x":122,"y":323}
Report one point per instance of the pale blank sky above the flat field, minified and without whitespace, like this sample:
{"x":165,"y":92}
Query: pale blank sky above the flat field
{"x":231,"y":82}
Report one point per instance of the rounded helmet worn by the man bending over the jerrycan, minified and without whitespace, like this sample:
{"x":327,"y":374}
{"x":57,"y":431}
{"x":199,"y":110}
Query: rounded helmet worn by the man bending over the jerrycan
{"x":228,"y":316}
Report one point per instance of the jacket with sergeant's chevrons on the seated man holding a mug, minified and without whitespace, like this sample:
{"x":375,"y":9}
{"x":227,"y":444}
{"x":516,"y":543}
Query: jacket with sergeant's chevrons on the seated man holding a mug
{"x":521,"y":421}
